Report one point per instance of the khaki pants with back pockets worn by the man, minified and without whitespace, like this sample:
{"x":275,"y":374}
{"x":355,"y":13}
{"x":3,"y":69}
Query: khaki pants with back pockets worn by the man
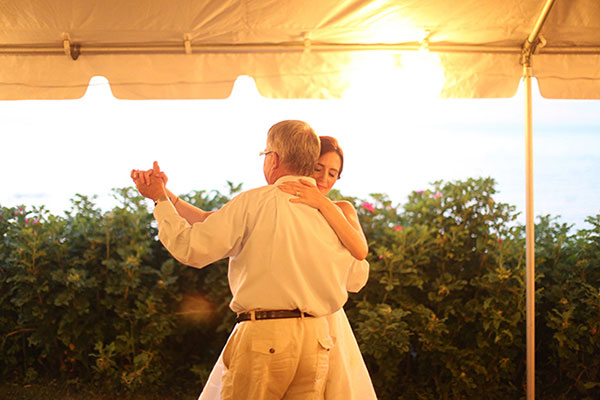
{"x":277,"y":359}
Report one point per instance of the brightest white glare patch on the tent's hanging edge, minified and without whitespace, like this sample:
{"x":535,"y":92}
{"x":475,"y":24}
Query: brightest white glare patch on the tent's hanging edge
{"x":383,"y":76}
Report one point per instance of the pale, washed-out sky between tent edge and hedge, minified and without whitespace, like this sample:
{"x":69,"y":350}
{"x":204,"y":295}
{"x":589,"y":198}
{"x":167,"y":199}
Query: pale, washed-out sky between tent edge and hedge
{"x":55,"y":149}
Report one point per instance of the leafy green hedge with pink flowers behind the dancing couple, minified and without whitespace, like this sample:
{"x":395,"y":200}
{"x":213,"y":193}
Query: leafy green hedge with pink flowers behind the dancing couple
{"x":93,"y":298}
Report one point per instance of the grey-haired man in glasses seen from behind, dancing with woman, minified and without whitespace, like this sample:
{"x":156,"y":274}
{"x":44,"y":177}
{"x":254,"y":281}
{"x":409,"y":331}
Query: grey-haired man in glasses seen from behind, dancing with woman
{"x":287,"y":270}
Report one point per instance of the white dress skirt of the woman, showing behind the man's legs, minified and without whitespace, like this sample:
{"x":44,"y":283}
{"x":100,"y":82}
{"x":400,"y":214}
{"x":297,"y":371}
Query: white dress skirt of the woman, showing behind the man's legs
{"x":348,"y":377}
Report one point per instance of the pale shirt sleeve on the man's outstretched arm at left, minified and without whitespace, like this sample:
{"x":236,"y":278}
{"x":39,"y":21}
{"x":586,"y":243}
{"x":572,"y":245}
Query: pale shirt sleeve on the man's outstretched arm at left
{"x":202,"y":243}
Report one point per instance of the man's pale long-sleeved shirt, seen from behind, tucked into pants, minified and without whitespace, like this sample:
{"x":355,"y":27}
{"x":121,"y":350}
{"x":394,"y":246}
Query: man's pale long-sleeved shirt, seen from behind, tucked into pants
{"x":282,"y":256}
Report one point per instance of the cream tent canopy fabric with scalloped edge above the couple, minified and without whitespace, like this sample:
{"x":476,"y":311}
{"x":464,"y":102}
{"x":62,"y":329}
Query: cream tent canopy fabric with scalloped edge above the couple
{"x":291,"y":48}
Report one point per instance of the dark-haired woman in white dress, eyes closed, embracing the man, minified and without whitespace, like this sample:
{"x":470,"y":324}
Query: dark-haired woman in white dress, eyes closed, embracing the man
{"x":348,"y":377}
